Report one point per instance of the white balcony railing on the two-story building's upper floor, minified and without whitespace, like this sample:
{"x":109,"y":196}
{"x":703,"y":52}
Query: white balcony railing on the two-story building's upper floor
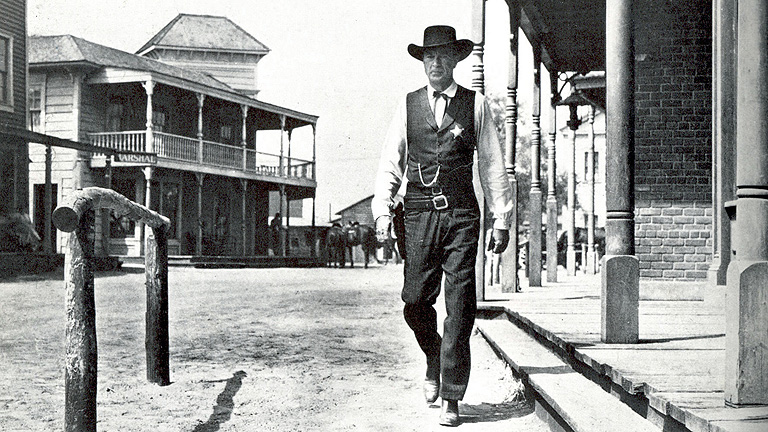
{"x":185,"y":149}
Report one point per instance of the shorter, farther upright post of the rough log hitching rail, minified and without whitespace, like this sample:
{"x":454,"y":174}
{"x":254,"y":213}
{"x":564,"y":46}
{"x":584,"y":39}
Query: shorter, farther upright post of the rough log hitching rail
{"x":156,"y":340}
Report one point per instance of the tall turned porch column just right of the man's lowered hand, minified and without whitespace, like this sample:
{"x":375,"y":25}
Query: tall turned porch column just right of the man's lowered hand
{"x":509,"y":258}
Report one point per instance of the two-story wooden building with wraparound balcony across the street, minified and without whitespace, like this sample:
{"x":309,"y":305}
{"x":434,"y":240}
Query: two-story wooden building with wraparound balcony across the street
{"x":214,"y":152}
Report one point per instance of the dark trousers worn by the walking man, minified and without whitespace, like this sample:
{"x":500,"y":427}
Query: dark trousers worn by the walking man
{"x":442,"y":243}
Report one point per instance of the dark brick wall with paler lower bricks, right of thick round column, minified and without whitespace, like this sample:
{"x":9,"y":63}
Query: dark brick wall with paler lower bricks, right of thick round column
{"x":673,"y":139}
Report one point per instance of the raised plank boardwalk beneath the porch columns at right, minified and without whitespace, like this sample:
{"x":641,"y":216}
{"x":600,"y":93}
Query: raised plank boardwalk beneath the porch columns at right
{"x":674,"y":377}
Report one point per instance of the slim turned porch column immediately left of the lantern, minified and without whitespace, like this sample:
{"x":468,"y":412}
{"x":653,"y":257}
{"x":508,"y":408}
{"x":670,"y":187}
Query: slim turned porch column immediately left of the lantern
{"x":552,"y":182}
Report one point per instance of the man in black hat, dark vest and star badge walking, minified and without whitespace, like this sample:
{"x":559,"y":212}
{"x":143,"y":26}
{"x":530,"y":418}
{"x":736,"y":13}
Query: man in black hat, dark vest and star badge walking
{"x":431,"y":142}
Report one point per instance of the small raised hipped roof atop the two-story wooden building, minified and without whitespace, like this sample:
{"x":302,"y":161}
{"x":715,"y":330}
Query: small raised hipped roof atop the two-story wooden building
{"x":204,"y":32}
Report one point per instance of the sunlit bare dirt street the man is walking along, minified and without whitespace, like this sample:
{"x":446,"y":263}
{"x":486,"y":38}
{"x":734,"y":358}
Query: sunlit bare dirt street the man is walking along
{"x":256,"y":349}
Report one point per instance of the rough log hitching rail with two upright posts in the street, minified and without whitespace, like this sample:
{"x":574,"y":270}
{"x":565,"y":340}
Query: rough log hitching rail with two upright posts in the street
{"x":77,"y":217}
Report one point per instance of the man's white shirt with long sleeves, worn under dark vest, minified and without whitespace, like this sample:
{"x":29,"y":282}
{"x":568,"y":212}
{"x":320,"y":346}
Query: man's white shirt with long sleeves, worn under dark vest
{"x":490,"y":160}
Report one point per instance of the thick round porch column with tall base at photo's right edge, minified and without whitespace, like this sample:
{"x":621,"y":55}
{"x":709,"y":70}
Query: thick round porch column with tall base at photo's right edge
{"x":746,"y":309}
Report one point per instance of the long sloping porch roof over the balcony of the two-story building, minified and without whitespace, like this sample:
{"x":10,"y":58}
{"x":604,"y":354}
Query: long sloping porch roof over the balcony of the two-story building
{"x":67,"y":50}
